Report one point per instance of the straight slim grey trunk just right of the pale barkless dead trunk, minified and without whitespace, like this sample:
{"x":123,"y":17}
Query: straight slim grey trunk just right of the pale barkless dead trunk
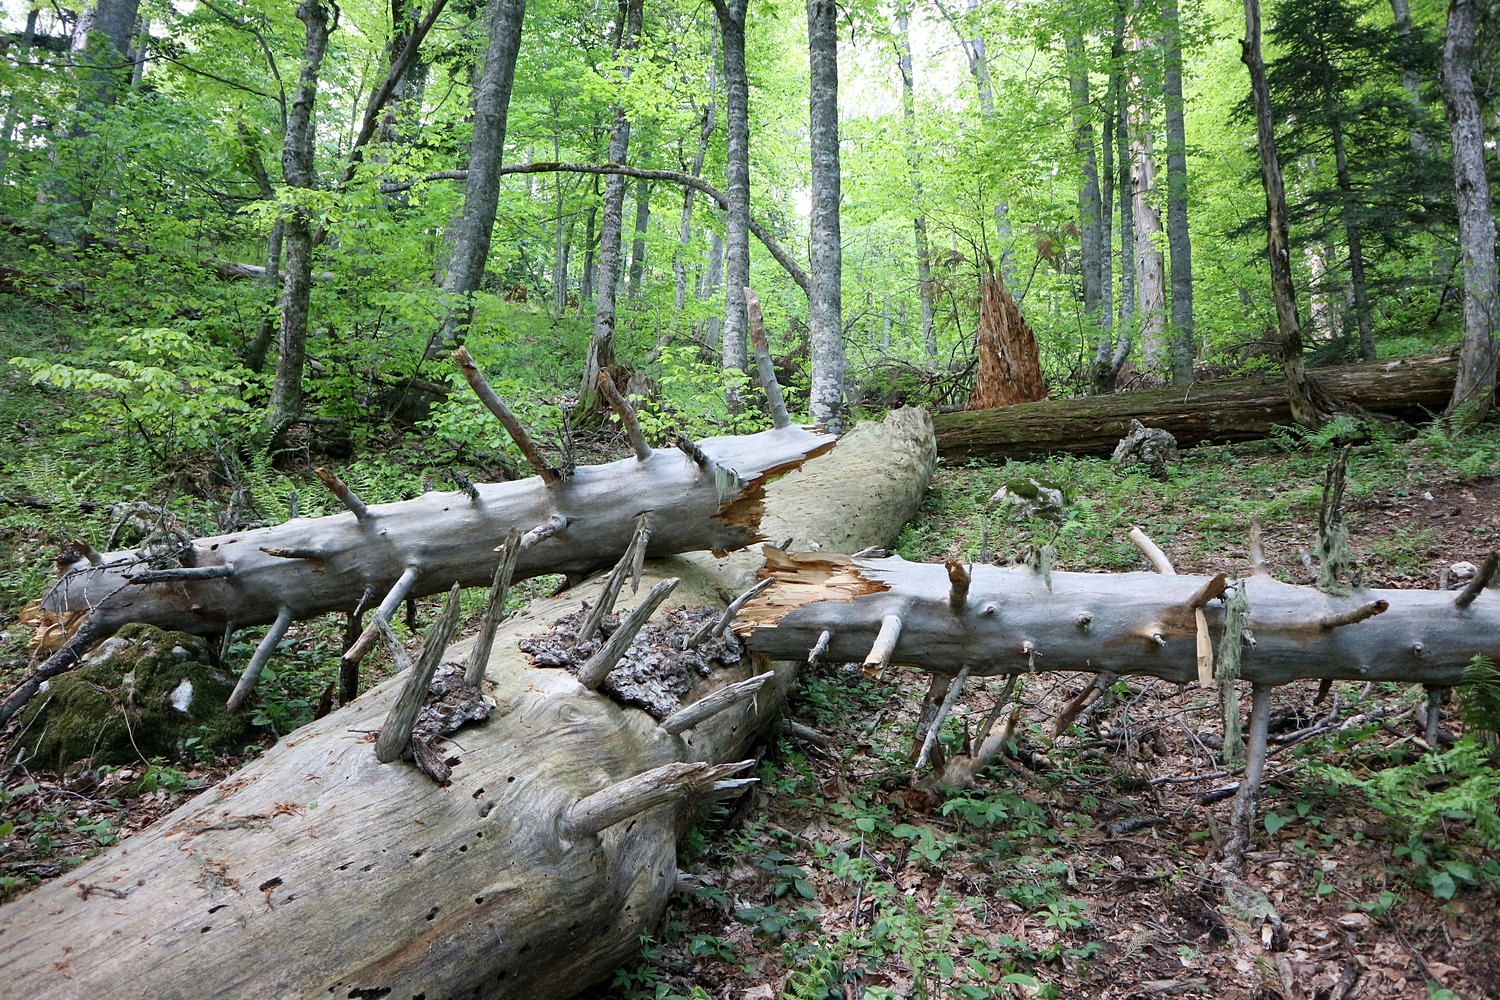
{"x":1178,"y":241}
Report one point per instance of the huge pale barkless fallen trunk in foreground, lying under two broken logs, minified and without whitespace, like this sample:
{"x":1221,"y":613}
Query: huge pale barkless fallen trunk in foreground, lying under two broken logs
{"x":319,"y":872}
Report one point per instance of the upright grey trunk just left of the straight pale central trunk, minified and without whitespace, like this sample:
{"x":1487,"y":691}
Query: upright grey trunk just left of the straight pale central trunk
{"x":737,"y":181}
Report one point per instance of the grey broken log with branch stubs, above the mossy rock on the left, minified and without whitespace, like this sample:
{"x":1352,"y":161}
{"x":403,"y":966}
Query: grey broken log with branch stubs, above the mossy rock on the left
{"x":706,"y":496}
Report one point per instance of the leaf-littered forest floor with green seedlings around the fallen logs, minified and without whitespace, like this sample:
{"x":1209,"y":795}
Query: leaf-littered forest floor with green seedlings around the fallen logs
{"x":1082,"y":864}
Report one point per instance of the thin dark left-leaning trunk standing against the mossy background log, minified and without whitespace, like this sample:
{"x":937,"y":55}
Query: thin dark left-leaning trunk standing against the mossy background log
{"x":1309,"y":406}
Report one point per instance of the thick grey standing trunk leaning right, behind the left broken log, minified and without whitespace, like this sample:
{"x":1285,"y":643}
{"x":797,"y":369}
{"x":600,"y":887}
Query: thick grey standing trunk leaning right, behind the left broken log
{"x":472,"y":232}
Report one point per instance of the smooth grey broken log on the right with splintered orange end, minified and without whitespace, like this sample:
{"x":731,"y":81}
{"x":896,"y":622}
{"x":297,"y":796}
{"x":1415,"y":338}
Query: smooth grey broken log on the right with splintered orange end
{"x":1144,"y":624}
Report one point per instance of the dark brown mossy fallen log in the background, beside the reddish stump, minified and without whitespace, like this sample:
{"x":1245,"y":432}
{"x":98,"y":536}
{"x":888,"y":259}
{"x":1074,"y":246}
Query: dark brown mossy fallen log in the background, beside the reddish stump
{"x":1219,"y":412}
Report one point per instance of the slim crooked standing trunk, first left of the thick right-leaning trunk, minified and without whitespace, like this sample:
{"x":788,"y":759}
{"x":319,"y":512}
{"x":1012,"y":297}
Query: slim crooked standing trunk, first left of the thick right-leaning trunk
{"x":298,"y":172}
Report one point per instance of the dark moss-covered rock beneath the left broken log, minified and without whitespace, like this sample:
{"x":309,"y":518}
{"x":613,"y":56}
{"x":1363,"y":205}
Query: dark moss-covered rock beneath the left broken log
{"x":142,"y":693}
